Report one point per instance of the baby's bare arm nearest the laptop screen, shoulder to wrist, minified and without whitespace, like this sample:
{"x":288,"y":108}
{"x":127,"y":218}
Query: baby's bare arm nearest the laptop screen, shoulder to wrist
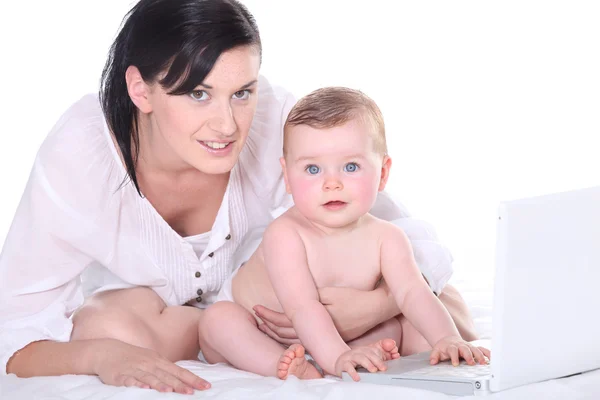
{"x":413,"y":295}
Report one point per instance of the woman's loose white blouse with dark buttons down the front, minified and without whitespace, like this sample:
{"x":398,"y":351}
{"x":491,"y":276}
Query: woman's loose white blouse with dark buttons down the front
{"x":77,"y":231}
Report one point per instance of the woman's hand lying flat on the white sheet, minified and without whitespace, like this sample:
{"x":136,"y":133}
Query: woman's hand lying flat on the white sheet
{"x":121,"y":364}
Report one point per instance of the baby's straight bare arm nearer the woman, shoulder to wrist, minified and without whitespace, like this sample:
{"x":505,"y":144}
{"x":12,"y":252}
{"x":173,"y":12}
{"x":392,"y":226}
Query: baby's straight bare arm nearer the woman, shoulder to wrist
{"x":287,"y":266}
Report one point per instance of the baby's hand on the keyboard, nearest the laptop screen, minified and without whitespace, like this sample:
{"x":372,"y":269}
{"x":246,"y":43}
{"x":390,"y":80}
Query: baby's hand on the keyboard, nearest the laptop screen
{"x":454,"y":348}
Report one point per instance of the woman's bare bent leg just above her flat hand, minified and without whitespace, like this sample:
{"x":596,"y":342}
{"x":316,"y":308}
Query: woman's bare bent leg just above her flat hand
{"x":138,"y":316}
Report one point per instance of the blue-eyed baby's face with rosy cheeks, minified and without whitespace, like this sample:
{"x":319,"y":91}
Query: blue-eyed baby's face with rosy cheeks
{"x":333,"y":174}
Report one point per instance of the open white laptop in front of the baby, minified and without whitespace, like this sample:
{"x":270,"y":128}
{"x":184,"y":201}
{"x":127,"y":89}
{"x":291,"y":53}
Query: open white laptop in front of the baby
{"x":545,"y":296}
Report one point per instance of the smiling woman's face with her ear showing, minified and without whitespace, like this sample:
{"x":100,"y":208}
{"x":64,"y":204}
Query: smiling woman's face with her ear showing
{"x":207,"y":128}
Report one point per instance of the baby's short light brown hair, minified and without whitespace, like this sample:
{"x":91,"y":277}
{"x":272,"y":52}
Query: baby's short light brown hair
{"x":330,"y":107}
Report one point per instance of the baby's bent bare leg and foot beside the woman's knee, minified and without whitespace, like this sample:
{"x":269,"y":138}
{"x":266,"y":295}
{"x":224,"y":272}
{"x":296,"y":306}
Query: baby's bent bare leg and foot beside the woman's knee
{"x":228,"y":333}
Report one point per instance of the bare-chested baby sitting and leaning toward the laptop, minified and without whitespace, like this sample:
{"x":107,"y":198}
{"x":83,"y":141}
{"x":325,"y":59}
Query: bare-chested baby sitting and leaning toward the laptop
{"x":335,"y":162}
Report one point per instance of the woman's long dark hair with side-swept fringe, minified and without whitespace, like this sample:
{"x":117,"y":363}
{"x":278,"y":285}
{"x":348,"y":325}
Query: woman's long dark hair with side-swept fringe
{"x":183,"y":38}
